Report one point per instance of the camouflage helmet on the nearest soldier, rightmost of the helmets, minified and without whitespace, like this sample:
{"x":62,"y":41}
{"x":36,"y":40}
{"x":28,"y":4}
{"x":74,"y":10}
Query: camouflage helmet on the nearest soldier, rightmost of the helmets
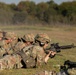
{"x":42,"y":37}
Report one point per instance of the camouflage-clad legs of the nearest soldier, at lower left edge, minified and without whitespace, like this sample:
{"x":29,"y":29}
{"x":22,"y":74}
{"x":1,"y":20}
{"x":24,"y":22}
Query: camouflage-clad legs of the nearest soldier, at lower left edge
{"x":11,"y":61}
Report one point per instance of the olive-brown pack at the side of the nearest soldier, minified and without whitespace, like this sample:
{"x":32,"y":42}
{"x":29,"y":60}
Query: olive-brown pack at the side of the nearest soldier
{"x":27,"y":58}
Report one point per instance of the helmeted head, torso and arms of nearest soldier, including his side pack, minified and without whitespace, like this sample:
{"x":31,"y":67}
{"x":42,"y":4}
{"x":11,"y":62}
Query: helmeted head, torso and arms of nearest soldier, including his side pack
{"x":35,"y":56}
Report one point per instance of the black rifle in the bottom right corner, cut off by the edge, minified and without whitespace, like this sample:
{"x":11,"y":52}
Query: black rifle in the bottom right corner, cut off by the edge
{"x":67,"y":65}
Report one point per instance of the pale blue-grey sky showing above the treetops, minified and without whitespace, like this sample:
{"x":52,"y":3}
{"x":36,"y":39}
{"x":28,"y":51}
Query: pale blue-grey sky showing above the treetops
{"x":37,"y":1}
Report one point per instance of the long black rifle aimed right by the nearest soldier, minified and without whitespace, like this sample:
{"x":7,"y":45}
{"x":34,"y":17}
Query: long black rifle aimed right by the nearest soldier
{"x":57,"y":48}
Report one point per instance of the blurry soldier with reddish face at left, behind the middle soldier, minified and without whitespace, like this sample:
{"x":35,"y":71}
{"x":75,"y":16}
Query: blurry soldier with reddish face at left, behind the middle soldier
{"x":8,"y":41}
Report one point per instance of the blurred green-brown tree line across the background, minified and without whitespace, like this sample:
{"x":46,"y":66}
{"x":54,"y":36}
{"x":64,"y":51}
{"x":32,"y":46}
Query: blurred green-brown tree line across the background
{"x":28,"y":12}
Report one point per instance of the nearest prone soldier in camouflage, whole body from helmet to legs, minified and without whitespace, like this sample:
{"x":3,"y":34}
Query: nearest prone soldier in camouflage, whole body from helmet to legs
{"x":32,"y":56}
